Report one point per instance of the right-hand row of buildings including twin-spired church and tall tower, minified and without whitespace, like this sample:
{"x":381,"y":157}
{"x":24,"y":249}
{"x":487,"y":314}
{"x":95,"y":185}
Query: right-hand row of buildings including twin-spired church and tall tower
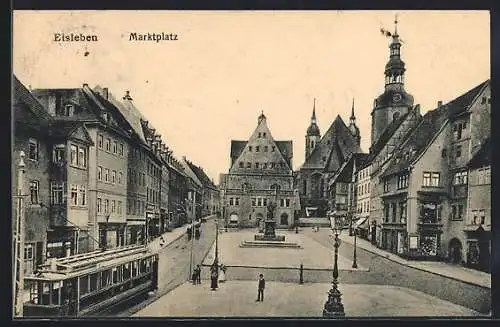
{"x":424,"y":189}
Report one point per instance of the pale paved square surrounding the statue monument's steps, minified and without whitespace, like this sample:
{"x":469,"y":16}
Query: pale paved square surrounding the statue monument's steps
{"x":311,"y":255}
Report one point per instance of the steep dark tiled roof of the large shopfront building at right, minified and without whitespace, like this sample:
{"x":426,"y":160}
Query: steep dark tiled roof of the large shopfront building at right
{"x":425,"y":131}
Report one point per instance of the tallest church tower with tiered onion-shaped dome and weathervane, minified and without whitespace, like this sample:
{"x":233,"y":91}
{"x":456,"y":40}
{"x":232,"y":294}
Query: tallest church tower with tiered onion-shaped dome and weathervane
{"x":395,"y":101}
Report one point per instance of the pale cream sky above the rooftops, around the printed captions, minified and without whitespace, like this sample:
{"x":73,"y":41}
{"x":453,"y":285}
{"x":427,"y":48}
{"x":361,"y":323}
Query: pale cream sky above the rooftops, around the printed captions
{"x":208,"y":87}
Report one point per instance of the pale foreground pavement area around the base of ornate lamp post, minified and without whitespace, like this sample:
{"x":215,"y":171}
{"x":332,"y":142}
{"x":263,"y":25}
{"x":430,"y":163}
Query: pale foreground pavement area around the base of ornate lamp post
{"x":237,"y":299}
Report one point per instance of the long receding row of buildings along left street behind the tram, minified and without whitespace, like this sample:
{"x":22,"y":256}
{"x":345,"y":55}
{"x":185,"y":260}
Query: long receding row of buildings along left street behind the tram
{"x":97,"y":174}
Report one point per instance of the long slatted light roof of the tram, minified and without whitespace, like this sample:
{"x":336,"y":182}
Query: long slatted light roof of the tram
{"x":85,"y":263}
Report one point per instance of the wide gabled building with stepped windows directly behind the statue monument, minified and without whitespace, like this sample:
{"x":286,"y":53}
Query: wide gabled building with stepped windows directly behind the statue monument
{"x":260,"y":173}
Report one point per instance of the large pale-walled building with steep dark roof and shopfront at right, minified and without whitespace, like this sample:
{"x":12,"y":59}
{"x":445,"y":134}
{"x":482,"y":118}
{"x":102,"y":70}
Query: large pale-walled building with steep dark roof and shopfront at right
{"x":425,"y":196}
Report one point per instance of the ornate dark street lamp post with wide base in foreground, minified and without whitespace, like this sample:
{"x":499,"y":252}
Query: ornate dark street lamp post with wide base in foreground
{"x":333,"y":306}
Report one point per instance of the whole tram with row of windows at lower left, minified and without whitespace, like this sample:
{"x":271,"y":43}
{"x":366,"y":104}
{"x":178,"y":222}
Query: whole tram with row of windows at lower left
{"x":90,"y":283}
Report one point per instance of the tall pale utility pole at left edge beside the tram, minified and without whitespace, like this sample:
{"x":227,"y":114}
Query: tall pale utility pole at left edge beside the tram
{"x":18,"y":272}
